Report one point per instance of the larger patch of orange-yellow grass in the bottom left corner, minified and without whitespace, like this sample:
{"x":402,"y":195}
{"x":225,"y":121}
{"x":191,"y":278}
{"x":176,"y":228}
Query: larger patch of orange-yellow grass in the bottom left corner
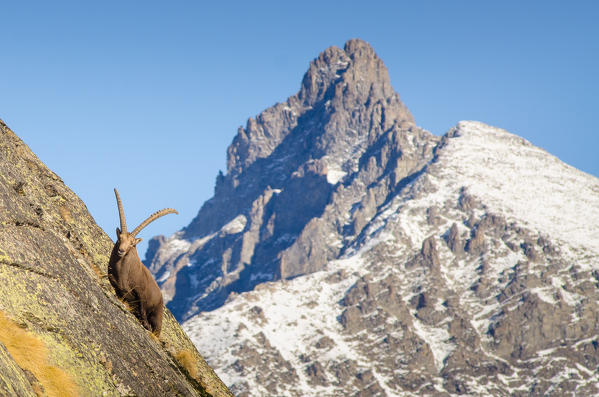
{"x":31,"y":354}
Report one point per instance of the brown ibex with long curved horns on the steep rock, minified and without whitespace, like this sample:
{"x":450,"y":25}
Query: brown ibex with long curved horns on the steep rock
{"x":131,"y":280}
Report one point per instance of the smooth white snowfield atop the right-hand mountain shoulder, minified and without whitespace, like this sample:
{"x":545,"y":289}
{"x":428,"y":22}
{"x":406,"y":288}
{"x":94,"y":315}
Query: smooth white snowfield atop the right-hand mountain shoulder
{"x":526,"y":183}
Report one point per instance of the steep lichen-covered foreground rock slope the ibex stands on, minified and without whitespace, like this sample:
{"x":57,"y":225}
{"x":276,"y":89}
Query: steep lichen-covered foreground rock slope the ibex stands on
{"x":53,"y":260}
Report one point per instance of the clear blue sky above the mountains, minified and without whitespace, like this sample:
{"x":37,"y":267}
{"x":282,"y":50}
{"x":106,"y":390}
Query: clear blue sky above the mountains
{"x":146,"y":96}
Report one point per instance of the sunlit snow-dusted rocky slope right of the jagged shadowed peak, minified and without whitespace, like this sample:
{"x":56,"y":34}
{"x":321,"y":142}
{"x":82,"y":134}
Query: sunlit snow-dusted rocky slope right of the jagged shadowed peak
{"x":480,"y":276}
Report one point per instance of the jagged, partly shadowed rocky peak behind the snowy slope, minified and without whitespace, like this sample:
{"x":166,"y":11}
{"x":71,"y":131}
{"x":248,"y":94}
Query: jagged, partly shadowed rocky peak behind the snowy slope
{"x":303,"y":178}
